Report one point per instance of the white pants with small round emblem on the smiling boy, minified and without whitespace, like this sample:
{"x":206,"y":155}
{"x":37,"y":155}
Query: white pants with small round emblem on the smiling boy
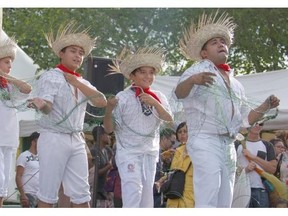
{"x":137,"y":180}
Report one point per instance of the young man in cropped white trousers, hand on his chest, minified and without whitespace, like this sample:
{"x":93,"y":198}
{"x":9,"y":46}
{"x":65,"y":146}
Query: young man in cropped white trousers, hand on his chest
{"x":62,"y":97}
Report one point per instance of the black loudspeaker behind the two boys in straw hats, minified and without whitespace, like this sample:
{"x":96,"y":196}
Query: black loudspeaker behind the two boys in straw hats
{"x":97,"y":72}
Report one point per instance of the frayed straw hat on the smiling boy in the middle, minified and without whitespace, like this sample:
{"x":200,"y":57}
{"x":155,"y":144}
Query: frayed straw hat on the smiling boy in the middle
{"x":126,"y":62}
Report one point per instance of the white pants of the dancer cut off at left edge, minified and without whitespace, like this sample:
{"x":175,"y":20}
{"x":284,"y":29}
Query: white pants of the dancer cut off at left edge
{"x":6,"y":153}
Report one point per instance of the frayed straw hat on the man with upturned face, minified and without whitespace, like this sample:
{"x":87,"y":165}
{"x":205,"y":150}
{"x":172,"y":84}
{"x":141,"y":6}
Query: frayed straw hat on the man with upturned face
{"x":208,"y":27}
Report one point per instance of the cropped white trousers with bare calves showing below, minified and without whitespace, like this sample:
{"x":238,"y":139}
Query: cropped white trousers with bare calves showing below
{"x":62,"y":158}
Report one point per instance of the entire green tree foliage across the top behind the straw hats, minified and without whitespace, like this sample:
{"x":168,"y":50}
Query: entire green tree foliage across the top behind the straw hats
{"x":260,"y":38}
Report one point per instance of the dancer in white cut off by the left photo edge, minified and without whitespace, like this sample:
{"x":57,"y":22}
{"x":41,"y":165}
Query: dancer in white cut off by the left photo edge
{"x":13,"y":92}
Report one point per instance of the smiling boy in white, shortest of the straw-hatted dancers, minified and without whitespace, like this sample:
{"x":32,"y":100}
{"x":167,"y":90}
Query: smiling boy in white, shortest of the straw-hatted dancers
{"x":137,"y":113}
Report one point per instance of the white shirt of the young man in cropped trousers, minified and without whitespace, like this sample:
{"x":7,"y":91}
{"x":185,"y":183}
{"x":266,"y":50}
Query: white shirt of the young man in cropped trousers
{"x":67,"y":114}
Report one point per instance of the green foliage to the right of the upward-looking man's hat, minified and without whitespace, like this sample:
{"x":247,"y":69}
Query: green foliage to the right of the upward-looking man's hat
{"x":261,"y":40}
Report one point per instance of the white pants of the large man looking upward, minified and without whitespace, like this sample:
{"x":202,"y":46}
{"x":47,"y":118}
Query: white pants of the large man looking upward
{"x":213,"y":170}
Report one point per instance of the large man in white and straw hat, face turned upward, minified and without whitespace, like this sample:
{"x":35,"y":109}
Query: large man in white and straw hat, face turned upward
{"x":215,"y":106}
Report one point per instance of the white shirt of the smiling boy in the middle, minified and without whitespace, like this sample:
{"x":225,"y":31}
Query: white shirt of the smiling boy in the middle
{"x":136,"y":134}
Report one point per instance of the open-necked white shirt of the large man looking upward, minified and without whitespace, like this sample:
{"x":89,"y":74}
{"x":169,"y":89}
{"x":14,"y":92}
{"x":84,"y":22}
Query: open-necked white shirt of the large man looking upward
{"x":209,"y":110}
